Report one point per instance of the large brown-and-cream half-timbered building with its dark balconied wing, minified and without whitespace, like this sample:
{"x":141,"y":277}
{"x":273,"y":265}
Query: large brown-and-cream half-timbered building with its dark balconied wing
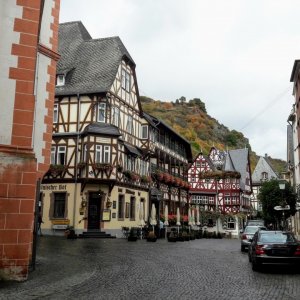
{"x":103,"y":144}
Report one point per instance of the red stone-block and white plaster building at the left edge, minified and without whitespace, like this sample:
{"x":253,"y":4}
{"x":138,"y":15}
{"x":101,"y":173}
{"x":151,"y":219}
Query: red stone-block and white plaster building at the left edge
{"x":28,"y":54}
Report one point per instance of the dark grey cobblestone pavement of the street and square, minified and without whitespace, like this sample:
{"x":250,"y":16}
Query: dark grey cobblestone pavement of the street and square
{"x":118,"y":269}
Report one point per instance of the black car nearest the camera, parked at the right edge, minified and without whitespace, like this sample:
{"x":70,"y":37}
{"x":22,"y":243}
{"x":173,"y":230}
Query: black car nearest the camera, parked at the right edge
{"x":273,"y":247}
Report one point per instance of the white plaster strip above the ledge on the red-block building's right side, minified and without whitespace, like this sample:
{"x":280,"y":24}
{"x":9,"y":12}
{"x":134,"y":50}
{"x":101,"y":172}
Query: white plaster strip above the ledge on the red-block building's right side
{"x":47,"y":19}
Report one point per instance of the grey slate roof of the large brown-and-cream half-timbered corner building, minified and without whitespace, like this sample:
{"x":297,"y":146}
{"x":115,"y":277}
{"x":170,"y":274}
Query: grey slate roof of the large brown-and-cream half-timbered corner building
{"x":90,"y":65}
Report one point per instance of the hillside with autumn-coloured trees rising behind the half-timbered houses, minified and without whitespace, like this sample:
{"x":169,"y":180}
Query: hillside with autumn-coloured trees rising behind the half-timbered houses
{"x":190,"y":120}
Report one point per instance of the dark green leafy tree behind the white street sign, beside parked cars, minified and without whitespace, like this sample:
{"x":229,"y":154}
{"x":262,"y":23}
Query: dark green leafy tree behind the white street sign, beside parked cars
{"x":270,"y":195}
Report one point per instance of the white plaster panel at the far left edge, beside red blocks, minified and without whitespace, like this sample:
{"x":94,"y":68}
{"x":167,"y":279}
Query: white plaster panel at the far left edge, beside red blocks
{"x":8,"y":11}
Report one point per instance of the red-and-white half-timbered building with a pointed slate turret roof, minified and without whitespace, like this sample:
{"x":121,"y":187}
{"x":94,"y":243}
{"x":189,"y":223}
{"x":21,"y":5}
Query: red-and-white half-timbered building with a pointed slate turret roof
{"x":220,"y":185}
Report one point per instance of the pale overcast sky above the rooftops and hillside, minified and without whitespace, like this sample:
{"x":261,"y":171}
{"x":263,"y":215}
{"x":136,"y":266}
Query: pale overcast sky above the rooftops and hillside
{"x":236,"y":56}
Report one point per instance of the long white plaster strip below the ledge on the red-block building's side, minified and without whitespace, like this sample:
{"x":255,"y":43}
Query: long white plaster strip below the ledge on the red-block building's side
{"x":41,"y":111}
